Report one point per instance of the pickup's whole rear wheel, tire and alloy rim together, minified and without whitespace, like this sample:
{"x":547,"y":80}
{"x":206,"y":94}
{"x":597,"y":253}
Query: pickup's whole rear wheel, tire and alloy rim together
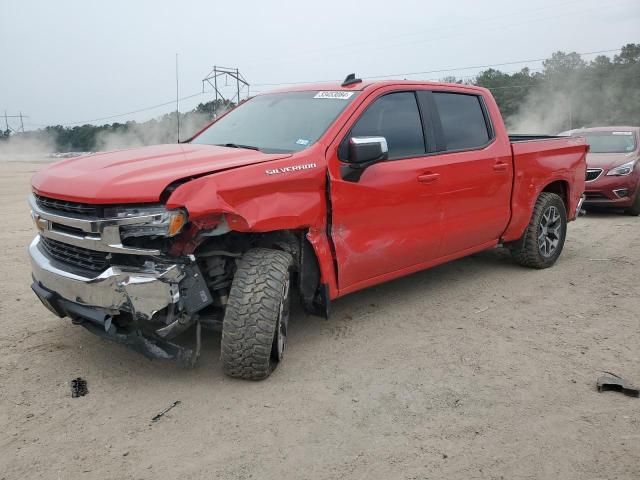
{"x":543,"y":240}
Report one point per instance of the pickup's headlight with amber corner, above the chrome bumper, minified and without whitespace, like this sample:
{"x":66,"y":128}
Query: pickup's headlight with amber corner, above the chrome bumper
{"x":160,"y":222}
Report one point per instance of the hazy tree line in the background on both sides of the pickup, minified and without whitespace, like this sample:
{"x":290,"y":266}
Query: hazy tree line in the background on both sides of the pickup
{"x":568,"y":92}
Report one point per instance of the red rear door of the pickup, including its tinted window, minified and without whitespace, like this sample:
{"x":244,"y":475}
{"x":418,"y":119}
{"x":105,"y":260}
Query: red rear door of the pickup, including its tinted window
{"x":477,"y":172}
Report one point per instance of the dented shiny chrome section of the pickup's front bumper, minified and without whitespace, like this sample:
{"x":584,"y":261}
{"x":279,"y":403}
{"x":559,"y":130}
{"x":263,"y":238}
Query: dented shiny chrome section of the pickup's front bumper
{"x":142,"y":292}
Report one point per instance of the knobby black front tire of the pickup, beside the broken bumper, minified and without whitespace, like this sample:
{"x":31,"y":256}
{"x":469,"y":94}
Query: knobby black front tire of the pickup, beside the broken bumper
{"x":259,"y":292}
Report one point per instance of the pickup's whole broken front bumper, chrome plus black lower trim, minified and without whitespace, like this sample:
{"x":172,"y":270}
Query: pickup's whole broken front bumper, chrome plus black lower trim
{"x":95,"y":301}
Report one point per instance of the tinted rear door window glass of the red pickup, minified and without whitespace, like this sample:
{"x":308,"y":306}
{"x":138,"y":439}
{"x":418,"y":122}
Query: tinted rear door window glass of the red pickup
{"x":463,"y":122}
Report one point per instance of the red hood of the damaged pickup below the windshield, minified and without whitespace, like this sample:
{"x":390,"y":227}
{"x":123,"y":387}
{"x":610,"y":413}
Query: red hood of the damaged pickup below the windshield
{"x":137,"y":175}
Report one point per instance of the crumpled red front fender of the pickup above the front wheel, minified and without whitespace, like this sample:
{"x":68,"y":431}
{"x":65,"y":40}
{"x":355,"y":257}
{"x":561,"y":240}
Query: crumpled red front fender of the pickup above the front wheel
{"x":249,"y":200}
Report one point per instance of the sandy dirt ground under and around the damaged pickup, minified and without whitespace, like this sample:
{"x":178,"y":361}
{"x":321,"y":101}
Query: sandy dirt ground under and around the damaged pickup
{"x":475,"y":369}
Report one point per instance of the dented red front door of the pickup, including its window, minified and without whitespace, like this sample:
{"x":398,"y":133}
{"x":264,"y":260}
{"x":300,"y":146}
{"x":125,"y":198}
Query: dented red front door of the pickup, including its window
{"x":389,"y":218}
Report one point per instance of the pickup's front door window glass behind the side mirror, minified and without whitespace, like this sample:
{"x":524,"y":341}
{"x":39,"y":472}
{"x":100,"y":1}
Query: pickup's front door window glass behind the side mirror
{"x":396,"y":117}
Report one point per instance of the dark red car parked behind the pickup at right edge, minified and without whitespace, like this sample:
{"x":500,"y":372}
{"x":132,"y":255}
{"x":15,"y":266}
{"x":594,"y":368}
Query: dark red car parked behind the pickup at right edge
{"x":613,"y":171}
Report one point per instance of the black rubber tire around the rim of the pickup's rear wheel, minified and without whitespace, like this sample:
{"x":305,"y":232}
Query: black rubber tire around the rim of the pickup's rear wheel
{"x":526,"y":251}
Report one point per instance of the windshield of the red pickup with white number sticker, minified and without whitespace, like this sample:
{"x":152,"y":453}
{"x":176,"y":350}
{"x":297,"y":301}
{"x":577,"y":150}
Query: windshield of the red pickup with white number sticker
{"x":278,"y":122}
